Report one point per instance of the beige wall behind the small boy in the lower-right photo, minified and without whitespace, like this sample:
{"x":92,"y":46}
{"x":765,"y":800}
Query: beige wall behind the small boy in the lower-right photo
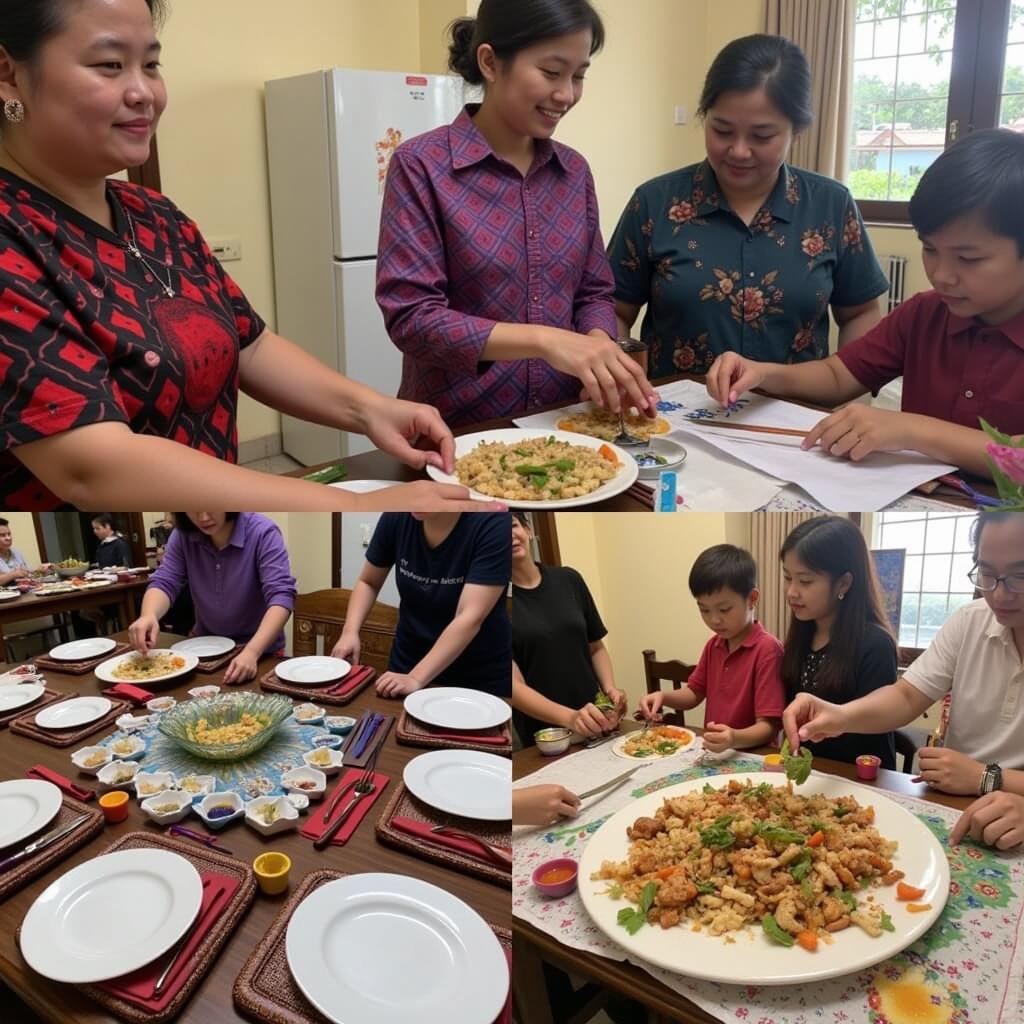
{"x":646,"y":604}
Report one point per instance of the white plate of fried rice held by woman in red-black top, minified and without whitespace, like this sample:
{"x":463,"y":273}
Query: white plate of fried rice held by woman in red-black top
{"x":543,"y":470}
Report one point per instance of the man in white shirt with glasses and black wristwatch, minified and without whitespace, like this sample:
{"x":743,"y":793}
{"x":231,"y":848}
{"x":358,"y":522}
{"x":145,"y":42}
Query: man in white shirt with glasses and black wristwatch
{"x":978,"y":659}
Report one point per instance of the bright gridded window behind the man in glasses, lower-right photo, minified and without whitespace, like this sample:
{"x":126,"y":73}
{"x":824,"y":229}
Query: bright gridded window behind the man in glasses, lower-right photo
{"x":940,"y":556}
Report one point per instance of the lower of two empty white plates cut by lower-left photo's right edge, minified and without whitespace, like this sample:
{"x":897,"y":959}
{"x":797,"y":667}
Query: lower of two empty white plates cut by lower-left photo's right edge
{"x":470,"y":784}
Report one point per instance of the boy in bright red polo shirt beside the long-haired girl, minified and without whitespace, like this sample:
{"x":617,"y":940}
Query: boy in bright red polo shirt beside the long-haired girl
{"x":740,"y":668}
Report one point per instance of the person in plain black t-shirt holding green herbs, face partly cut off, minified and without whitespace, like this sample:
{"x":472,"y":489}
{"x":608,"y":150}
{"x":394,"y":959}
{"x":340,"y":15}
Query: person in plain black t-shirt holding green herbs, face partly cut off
{"x":561,"y":662}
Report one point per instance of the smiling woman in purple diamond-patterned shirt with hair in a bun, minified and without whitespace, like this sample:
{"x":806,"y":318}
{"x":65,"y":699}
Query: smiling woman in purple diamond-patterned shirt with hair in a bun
{"x":492,"y":274}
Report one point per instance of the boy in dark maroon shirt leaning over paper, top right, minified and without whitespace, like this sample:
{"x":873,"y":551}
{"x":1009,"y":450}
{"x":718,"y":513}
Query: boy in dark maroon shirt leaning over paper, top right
{"x":960,"y":349}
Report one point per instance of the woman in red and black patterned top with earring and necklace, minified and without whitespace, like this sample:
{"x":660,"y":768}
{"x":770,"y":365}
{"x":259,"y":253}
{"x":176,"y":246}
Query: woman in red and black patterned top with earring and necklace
{"x":123,"y":343}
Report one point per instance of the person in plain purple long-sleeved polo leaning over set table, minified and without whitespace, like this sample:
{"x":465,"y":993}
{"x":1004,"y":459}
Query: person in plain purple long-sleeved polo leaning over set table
{"x":237,"y":569}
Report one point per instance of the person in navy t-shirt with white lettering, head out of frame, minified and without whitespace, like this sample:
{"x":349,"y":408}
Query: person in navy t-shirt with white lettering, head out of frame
{"x":453,"y":573}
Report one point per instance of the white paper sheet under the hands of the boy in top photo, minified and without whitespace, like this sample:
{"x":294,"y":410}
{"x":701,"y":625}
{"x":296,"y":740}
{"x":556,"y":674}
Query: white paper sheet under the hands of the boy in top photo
{"x":838,"y":484}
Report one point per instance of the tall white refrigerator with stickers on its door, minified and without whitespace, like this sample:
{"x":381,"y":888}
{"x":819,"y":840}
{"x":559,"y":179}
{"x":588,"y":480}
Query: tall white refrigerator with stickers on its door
{"x":330,"y":139}
